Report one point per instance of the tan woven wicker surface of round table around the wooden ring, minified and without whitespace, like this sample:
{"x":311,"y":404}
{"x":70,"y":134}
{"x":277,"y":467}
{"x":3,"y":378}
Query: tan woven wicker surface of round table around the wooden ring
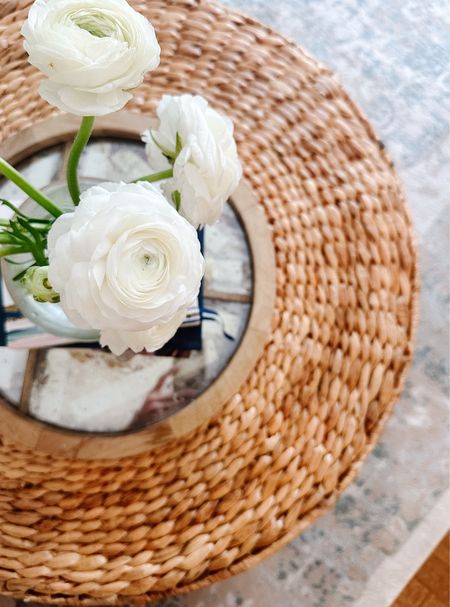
{"x":215,"y":503}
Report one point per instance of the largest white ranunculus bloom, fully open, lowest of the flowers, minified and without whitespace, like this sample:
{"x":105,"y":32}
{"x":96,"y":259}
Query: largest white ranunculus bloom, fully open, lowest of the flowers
{"x":126,"y":263}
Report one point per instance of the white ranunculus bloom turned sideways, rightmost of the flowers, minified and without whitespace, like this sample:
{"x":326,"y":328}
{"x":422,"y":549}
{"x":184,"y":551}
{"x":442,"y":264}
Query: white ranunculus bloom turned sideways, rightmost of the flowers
{"x":198,"y":142}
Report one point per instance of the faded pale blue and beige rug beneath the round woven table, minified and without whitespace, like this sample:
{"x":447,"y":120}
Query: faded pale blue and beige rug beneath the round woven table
{"x":392,"y":57}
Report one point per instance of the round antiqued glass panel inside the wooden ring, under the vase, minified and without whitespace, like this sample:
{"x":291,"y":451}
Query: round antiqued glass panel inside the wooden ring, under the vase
{"x":79,"y":386}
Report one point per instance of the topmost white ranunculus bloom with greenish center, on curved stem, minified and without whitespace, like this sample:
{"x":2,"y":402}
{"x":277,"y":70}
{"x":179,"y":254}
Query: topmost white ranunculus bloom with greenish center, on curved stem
{"x":93,"y":52}
